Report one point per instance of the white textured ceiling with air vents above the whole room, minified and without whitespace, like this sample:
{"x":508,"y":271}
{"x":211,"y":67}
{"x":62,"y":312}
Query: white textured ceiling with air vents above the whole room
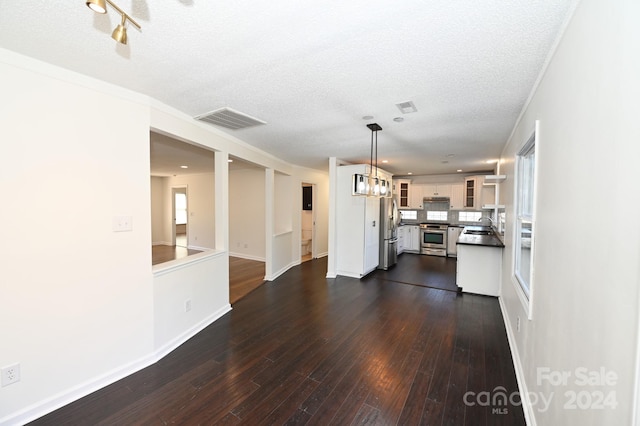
{"x":312,"y":70}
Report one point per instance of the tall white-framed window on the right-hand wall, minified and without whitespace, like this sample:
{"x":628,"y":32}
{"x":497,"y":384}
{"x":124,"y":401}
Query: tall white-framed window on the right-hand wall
{"x":525,"y":179}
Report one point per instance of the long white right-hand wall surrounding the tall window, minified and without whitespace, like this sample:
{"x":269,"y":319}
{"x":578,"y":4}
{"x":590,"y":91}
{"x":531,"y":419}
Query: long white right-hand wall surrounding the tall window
{"x":587,"y":243}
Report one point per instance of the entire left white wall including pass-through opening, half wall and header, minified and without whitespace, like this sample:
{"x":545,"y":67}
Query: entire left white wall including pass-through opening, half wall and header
{"x":87,"y":308}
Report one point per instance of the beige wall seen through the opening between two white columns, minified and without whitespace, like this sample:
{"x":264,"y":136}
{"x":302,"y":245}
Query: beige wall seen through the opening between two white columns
{"x":247,"y":213}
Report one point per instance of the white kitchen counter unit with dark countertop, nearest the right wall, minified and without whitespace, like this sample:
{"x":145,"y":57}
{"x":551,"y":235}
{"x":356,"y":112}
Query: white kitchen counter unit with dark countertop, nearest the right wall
{"x":479,"y":261}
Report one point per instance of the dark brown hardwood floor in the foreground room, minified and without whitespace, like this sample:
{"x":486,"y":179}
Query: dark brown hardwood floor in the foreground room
{"x":304,"y":349}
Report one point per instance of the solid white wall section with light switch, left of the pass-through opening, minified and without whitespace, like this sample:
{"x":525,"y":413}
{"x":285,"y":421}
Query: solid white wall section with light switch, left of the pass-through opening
{"x":81,"y":306}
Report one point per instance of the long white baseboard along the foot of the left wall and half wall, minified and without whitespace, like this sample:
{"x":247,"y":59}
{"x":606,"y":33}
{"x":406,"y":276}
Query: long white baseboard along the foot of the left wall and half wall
{"x":61,"y":399}
